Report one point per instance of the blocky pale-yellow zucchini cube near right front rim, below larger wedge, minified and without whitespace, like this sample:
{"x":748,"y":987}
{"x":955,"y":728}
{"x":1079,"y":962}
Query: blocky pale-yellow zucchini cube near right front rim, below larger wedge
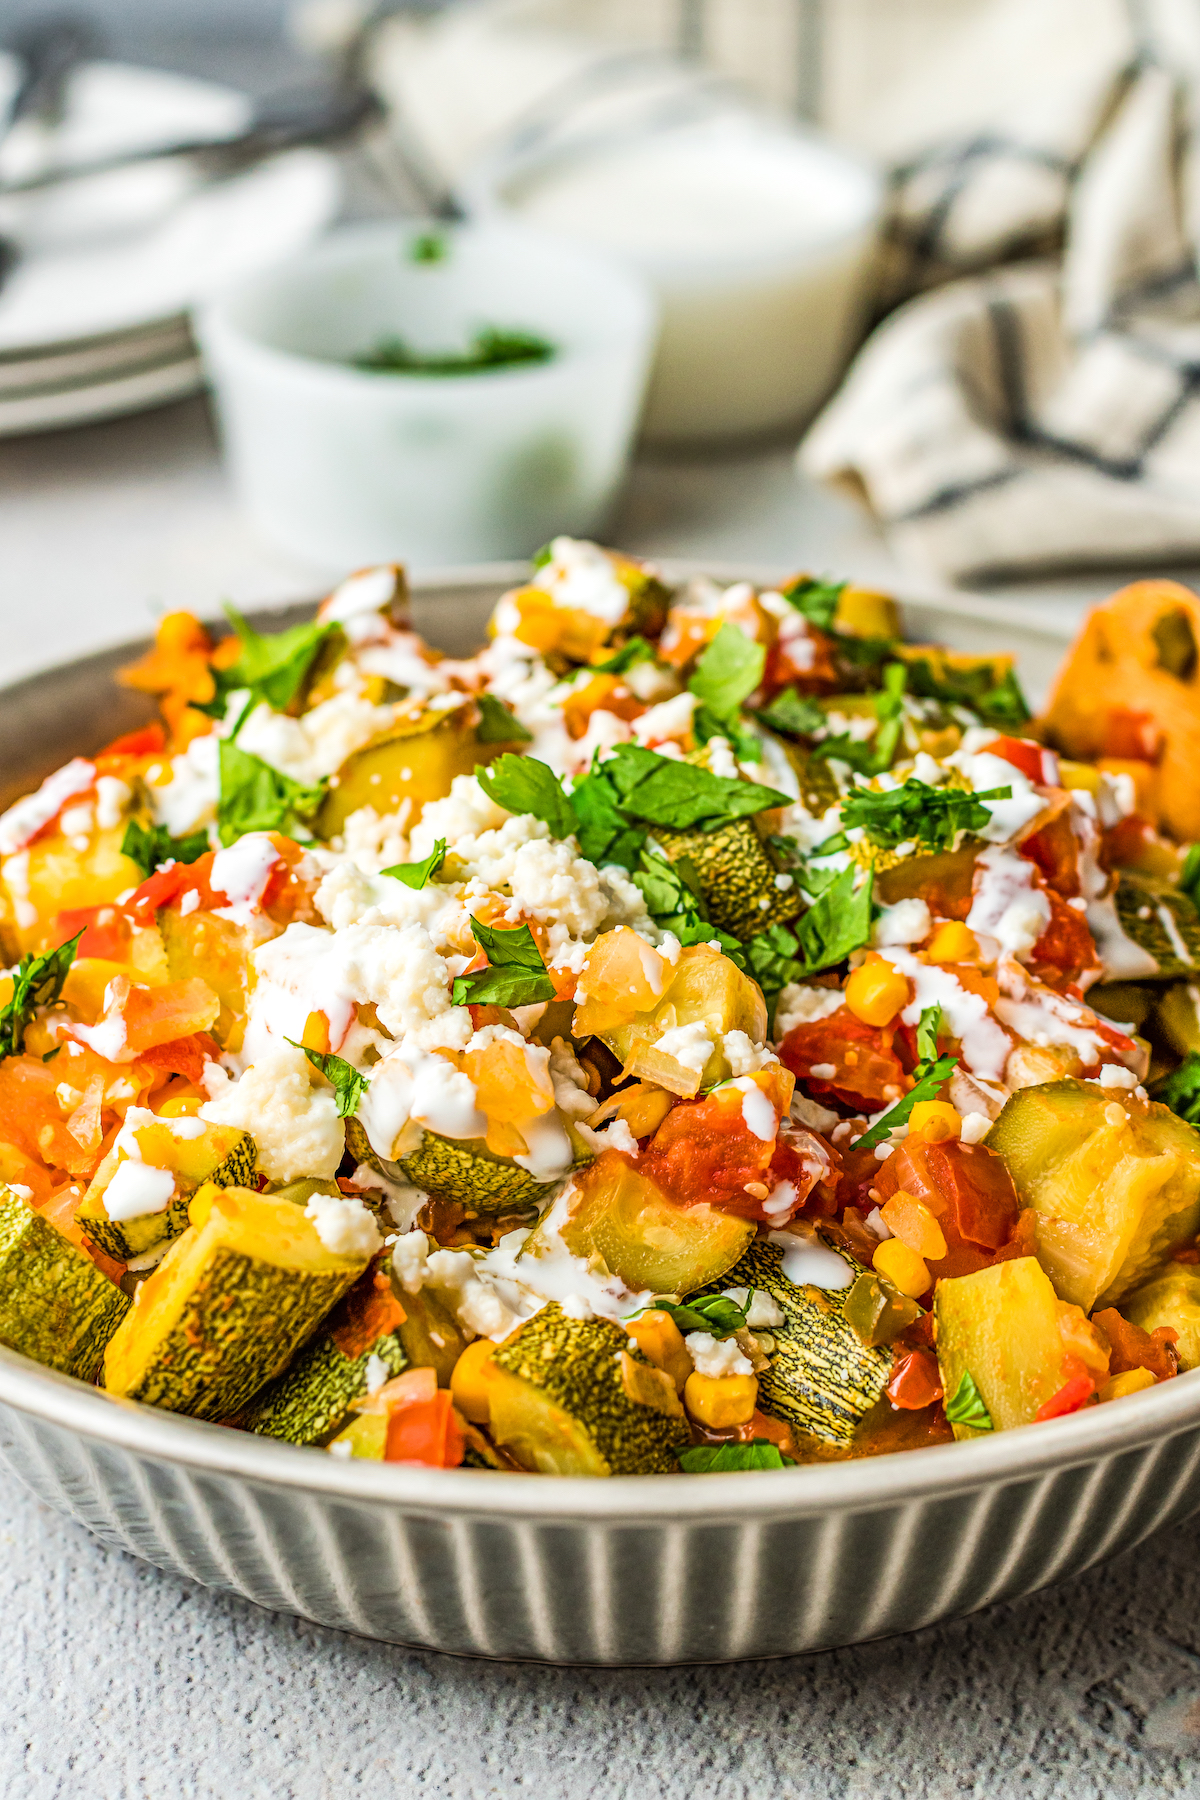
{"x":1001,"y":1327}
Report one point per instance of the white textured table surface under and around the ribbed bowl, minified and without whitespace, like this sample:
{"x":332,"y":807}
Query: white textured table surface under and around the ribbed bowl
{"x":123,"y":1682}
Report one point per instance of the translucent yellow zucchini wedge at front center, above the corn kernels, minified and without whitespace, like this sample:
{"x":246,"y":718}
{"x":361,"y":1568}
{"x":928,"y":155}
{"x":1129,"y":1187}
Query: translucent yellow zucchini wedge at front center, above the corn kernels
{"x":641,"y":1236}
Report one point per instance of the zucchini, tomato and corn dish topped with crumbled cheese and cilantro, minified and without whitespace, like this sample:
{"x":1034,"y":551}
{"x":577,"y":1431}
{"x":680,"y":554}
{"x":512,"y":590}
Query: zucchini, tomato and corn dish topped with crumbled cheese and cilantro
{"x":697,"y":1032}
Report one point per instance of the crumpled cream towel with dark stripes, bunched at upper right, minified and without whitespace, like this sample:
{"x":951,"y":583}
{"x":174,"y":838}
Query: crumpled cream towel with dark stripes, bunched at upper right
{"x":1046,"y":408}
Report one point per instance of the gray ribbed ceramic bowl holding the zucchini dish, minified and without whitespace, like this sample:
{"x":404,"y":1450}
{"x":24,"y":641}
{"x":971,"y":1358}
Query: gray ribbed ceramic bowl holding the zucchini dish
{"x":659,"y":1570}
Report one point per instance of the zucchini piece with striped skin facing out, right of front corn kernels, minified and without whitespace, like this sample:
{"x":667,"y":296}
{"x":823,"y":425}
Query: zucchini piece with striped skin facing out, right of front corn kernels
{"x":823,"y":1380}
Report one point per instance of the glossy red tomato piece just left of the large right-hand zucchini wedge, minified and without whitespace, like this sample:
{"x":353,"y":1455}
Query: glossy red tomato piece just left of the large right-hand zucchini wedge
{"x":967,"y":1187}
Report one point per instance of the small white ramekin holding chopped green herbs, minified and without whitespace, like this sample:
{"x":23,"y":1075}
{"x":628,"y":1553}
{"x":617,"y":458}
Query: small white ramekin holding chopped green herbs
{"x":345,"y":465}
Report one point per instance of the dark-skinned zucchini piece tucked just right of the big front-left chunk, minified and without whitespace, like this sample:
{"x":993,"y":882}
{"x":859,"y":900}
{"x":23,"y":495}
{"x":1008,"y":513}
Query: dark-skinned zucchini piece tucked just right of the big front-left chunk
{"x":310,"y":1401}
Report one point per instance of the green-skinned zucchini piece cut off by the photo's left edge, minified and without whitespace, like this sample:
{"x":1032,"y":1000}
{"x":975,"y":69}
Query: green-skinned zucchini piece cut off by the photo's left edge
{"x":55,"y":1304}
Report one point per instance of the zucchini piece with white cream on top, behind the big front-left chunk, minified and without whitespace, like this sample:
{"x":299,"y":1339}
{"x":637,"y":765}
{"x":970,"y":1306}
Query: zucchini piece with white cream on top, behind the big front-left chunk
{"x":222,"y":1155}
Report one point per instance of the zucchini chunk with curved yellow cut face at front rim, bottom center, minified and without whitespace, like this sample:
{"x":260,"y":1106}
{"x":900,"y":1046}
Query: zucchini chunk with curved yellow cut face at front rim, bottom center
{"x":560,"y":1405}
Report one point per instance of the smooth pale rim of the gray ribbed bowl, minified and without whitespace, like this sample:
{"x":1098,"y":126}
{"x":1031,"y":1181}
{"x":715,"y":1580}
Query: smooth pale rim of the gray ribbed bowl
{"x":866,"y":1484}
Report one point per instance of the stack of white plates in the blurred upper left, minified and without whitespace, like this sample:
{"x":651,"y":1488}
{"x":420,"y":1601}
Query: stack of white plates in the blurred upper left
{"x":94,"y":314}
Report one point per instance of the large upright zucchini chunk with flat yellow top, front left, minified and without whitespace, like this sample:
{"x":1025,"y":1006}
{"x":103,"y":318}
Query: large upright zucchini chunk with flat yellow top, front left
{"x":228,"y":1308}
